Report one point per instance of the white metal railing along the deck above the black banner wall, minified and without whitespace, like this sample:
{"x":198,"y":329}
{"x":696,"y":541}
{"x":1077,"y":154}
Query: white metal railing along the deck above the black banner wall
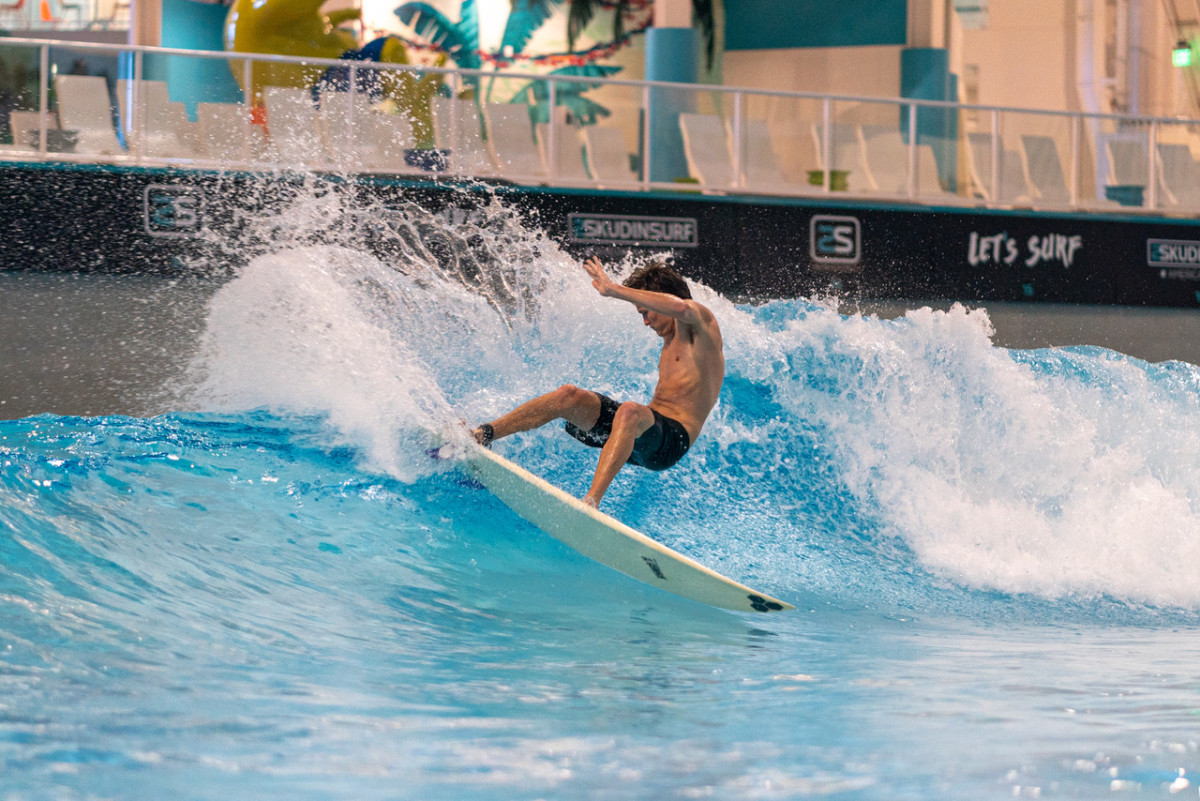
{"x":652,"y":117}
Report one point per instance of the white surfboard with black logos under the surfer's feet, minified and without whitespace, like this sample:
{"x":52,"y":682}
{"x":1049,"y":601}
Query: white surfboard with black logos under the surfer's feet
{"x":609,"y":541}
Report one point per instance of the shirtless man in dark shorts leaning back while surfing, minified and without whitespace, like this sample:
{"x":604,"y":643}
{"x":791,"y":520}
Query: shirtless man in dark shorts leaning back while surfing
{"x":692,"y":370}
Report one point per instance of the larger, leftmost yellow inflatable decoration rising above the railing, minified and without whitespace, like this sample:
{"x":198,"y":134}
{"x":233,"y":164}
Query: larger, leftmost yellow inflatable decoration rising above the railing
{"x":285,"y":28}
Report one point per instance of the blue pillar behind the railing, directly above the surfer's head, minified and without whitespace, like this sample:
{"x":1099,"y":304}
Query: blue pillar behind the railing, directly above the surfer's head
{"x":670,"y":56}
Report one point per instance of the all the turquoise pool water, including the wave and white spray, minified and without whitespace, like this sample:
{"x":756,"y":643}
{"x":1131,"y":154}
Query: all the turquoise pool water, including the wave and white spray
{"x":271,"y":593}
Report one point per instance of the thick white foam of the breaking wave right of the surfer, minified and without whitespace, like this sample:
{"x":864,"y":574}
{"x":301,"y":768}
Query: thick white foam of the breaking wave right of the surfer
{"x":1064,"y":474}
